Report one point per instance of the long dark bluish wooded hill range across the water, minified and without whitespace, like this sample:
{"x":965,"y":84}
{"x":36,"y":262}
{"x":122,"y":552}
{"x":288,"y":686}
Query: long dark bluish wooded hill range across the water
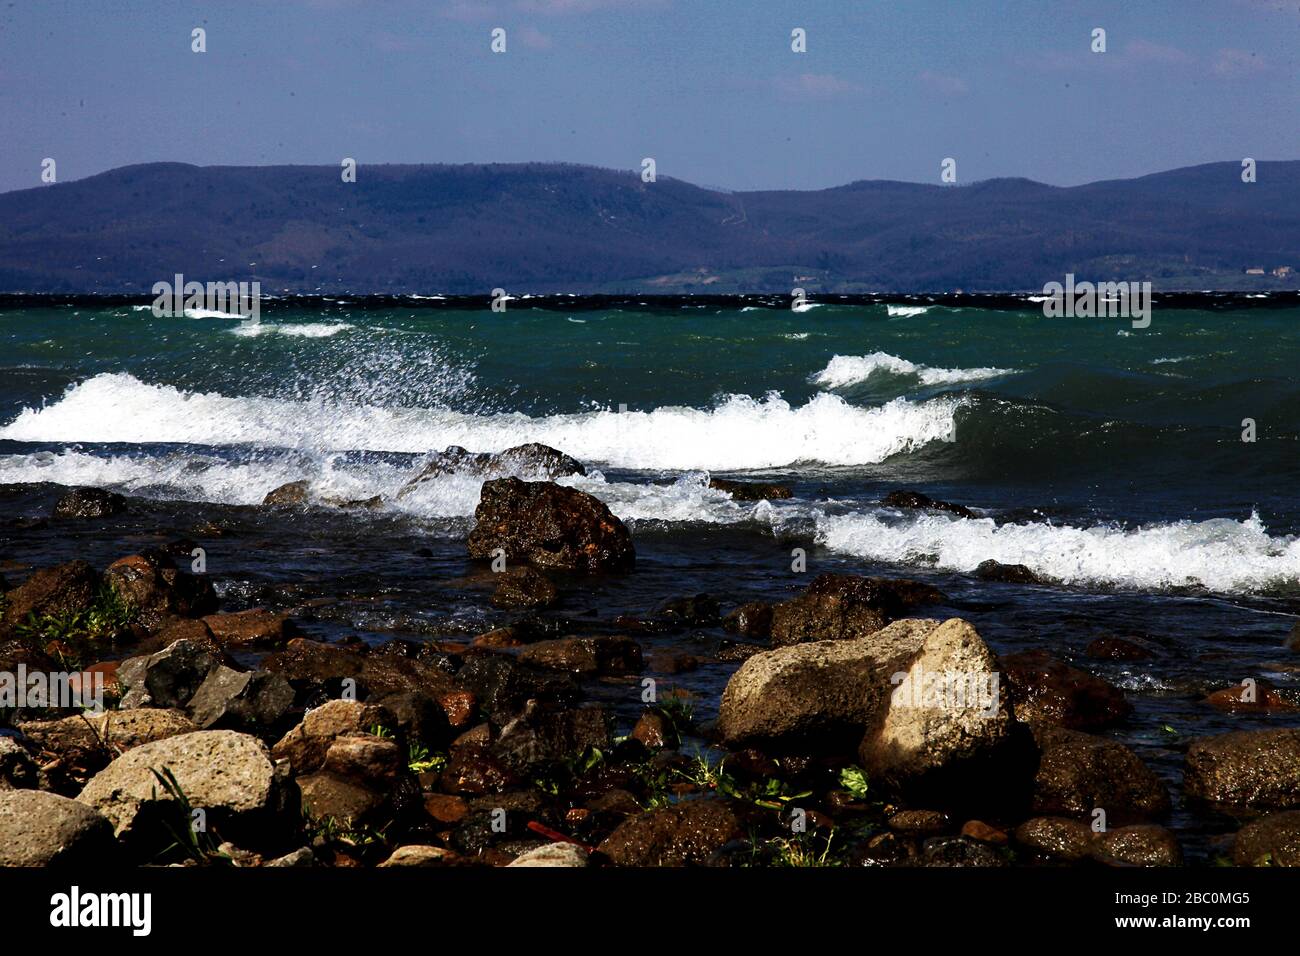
{"x":565,"y":228}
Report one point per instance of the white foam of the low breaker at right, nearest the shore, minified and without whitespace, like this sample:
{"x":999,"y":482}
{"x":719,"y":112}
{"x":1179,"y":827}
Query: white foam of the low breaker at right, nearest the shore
{"x":1221,"y":555}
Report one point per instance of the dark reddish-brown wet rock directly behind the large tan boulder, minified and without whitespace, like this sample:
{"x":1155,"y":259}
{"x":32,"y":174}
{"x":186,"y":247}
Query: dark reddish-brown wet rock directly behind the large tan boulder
{"x":846,"y":607}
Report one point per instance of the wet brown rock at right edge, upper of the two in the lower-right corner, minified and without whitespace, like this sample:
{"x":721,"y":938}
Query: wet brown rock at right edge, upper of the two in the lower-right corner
{"x":1256,"y":769}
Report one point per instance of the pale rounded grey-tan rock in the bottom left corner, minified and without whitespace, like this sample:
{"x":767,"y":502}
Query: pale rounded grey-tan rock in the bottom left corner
{"x":40,"y":829}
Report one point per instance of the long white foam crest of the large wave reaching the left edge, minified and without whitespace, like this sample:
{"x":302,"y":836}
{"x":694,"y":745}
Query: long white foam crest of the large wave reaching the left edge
{"x":739,"y":434}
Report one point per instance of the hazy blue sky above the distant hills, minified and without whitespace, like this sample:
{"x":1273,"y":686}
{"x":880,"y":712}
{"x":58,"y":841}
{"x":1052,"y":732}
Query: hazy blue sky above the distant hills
{"x":709,"y":89}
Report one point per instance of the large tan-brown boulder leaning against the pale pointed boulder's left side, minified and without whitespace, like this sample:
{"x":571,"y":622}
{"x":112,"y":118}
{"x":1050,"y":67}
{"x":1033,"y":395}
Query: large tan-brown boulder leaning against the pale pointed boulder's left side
{"x":820,"y":695}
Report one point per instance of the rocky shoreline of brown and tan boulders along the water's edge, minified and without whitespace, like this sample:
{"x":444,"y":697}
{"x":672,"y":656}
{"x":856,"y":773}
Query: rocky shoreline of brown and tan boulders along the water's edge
{"x":855,"y":728}
